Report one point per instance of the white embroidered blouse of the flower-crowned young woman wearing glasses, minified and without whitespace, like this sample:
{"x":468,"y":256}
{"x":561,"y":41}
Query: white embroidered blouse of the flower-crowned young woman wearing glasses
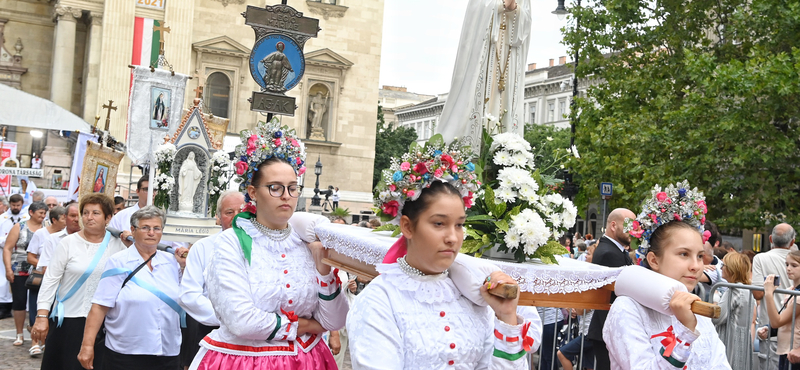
{"x":254,"y":301}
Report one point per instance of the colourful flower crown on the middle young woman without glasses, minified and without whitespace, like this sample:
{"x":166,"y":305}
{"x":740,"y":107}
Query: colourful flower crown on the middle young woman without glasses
{"x":416,"y":170}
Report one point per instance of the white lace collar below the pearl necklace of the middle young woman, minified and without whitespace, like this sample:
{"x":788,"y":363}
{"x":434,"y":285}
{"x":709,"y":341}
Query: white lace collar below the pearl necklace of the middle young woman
{"x":425,"y":289}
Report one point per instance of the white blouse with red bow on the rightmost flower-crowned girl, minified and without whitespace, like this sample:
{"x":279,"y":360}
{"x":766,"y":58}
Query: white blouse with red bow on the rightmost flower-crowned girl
{"x":629,"y":332}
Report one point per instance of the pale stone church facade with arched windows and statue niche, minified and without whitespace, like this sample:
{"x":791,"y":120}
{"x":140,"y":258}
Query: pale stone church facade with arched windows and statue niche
{"x":77,"y":54}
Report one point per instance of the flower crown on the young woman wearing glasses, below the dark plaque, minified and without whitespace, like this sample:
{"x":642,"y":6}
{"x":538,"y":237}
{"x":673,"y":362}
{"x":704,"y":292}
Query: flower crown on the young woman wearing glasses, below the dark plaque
{"x":269,"y":140}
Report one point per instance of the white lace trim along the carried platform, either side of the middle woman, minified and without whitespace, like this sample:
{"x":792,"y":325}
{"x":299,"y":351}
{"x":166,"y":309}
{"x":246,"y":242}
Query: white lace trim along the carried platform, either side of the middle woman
{"x":569,"y":276}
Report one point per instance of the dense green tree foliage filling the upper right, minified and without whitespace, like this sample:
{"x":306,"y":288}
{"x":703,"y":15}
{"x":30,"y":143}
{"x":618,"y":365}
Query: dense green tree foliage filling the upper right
{"x":707,"y":91}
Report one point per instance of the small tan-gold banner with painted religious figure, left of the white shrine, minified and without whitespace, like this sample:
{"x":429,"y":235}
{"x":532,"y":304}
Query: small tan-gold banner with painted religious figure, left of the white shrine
{"x":100,"y":166}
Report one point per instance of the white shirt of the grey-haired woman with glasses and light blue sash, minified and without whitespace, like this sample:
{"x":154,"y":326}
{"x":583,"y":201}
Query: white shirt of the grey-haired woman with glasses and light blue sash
{"x":139,"y":323}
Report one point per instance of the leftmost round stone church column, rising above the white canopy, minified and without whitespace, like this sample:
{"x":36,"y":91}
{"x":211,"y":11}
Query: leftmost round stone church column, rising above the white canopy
{"x":62,"y":75}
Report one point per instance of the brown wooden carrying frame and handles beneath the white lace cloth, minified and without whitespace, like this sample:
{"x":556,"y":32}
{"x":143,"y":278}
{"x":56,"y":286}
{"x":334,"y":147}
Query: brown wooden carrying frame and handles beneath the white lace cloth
{"x":595,"y":299}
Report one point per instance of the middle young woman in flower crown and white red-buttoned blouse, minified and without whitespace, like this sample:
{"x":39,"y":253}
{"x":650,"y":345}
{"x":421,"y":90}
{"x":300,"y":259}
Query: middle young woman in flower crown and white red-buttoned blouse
{"x":412,"y":316}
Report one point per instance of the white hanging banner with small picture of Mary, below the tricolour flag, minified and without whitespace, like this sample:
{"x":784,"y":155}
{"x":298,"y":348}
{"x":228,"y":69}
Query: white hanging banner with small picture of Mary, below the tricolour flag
{"x":154,"y":112}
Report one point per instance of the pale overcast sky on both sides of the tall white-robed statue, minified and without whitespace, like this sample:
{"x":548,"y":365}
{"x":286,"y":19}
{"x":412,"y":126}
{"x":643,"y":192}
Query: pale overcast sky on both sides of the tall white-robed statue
{"x":420,"y":39}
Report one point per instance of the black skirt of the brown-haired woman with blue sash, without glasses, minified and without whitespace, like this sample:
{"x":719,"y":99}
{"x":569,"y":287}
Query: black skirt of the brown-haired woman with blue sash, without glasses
{"x":64,"y":343}
